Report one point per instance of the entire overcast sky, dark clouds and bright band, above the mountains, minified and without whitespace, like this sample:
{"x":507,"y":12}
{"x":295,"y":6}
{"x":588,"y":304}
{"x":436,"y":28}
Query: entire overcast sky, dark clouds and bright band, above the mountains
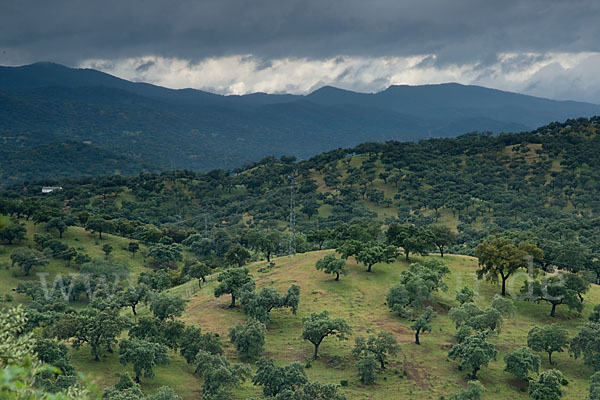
{"x":547,"y":48}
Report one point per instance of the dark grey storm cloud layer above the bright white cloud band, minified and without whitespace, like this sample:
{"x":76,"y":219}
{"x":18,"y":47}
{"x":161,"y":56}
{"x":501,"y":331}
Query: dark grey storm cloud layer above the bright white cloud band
{"x":461,"y":31}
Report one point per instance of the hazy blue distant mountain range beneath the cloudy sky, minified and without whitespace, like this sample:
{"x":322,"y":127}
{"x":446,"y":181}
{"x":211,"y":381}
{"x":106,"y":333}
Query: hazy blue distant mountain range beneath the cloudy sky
{"x":47,"y":103}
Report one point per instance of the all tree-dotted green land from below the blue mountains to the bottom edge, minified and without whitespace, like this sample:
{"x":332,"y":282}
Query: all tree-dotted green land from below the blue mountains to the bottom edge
{"x":516,"y":202}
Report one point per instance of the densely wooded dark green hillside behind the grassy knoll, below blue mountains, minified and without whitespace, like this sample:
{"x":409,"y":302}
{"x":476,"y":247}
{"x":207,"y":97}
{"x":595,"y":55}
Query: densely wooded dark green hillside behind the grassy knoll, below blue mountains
{"x":543,"y":182}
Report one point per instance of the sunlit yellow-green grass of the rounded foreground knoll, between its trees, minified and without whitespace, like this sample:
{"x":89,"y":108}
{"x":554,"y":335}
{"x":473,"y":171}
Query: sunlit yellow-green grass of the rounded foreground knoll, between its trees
{"x":360,"y":297}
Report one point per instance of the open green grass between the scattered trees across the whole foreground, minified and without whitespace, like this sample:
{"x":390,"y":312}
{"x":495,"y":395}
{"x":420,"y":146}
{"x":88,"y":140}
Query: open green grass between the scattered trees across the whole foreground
{"x":418,"y":372}
